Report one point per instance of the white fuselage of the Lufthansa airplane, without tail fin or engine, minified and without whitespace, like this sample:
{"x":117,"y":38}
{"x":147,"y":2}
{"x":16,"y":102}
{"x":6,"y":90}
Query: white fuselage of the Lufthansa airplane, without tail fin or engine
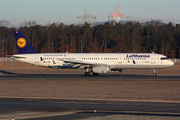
{"x":114,"y":60}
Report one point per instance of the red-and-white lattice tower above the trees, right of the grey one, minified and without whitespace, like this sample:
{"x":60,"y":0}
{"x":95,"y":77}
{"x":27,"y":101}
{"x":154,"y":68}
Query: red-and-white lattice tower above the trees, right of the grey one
{"x":116,"y":15}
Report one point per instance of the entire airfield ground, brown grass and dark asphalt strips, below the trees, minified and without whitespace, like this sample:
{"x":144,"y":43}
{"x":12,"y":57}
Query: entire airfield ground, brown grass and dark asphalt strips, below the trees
{"x":46,"y":94}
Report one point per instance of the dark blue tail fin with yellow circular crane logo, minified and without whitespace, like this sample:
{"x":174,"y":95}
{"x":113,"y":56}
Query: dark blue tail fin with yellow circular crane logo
{"x":23,"y":46}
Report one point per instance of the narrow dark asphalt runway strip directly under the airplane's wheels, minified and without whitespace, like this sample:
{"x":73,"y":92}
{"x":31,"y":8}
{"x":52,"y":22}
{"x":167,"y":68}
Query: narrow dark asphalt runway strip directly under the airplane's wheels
{"x":82,"y":77}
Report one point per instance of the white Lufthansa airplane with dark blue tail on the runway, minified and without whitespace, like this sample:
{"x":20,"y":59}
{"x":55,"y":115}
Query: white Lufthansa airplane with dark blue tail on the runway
{"x":95,"y":63}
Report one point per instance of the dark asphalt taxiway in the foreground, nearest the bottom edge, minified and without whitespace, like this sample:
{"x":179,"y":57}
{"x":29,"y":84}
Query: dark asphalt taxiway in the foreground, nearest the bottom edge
{"x":75,"y":109}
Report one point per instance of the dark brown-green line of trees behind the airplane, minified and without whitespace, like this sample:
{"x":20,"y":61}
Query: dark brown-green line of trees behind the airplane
{"x":131,"y":37}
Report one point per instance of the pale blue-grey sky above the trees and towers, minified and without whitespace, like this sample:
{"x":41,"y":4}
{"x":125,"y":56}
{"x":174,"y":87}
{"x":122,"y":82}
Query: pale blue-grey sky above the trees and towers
{"x":66,"y":11}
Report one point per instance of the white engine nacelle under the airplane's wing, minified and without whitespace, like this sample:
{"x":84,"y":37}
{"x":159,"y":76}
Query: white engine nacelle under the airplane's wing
{"x":101,"y":69}
